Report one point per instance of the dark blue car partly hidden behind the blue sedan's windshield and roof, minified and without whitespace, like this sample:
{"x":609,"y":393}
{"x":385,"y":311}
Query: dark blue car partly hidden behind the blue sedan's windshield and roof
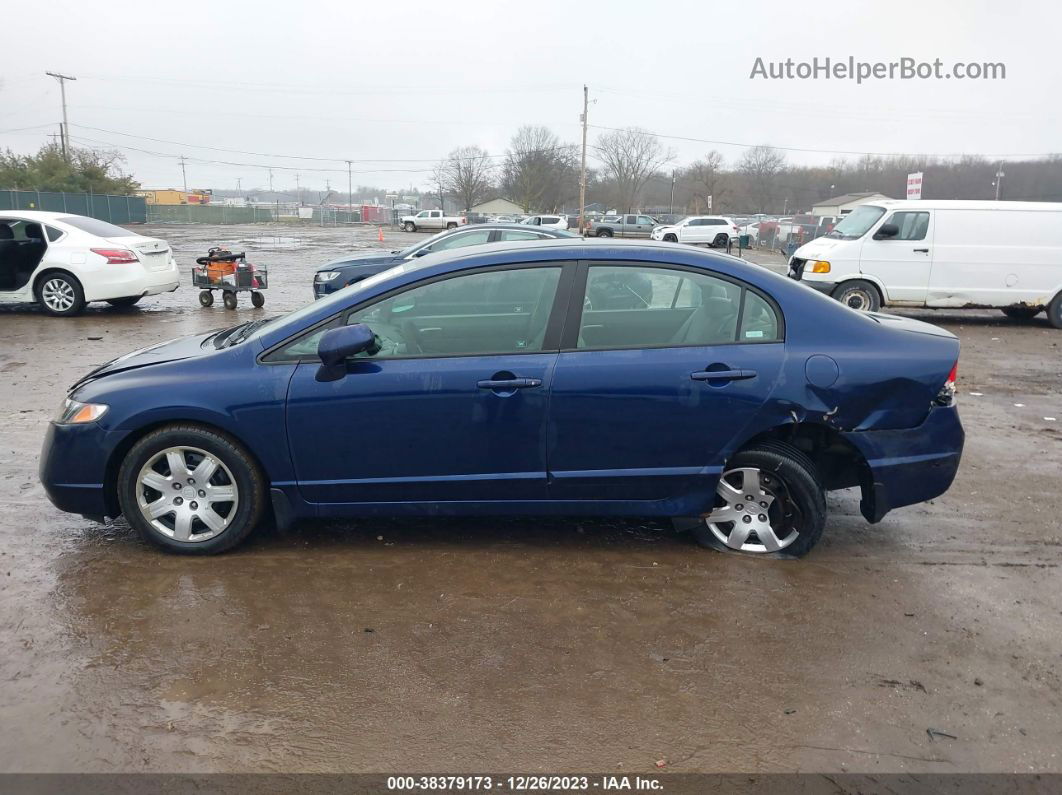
{"x":337,"y":275}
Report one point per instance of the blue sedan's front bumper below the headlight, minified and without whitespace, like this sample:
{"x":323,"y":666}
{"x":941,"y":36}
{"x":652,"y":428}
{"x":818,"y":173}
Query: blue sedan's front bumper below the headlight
{"x":74,"y":462}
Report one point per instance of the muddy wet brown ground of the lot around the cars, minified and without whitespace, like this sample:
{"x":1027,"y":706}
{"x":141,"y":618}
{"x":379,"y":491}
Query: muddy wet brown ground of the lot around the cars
{"x":539,"y":645}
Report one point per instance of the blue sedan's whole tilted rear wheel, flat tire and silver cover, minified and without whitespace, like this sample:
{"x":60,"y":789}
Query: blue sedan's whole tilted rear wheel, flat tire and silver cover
{"x":769,"y":502}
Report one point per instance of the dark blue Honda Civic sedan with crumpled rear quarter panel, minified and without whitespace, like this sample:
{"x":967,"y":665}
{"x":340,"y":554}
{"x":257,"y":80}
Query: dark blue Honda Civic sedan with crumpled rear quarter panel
{"x":563,"y":377}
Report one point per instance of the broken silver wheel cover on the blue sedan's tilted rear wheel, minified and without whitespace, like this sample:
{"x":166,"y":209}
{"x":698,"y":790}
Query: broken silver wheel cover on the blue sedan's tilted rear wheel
{"x":753,"y":512}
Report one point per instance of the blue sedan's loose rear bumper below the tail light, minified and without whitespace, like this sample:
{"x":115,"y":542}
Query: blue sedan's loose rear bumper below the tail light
{"x":910,"y":465}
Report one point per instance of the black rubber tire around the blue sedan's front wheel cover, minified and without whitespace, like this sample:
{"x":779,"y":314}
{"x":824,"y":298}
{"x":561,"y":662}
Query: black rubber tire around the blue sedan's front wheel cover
{"x":249,"y":481}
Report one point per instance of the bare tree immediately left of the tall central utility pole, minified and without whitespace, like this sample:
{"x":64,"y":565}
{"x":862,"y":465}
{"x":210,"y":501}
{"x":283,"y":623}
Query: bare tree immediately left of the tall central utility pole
{"x":537,"y":164}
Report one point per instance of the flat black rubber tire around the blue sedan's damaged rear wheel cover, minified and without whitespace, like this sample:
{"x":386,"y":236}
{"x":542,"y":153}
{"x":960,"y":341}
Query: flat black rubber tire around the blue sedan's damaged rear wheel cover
{"x":800,"y":504}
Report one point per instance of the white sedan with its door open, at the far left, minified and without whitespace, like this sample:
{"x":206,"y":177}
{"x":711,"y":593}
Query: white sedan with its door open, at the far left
{"x":64,"y":262}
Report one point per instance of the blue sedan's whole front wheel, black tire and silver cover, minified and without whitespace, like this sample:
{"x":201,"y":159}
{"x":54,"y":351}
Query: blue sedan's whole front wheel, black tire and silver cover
{"x":191,"y":490}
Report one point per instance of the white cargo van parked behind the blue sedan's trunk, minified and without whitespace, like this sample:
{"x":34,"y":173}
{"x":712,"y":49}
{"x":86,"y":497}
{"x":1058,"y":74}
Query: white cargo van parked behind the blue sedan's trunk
{"x":941,"y":255}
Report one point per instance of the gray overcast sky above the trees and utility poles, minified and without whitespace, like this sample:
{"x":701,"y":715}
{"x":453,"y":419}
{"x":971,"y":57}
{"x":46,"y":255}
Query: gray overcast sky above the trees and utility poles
{"x":413,"y":81}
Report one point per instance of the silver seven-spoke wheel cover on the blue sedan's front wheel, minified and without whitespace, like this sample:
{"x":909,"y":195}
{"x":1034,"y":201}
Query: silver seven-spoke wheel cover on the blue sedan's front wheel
{"x":187,"y":494}
